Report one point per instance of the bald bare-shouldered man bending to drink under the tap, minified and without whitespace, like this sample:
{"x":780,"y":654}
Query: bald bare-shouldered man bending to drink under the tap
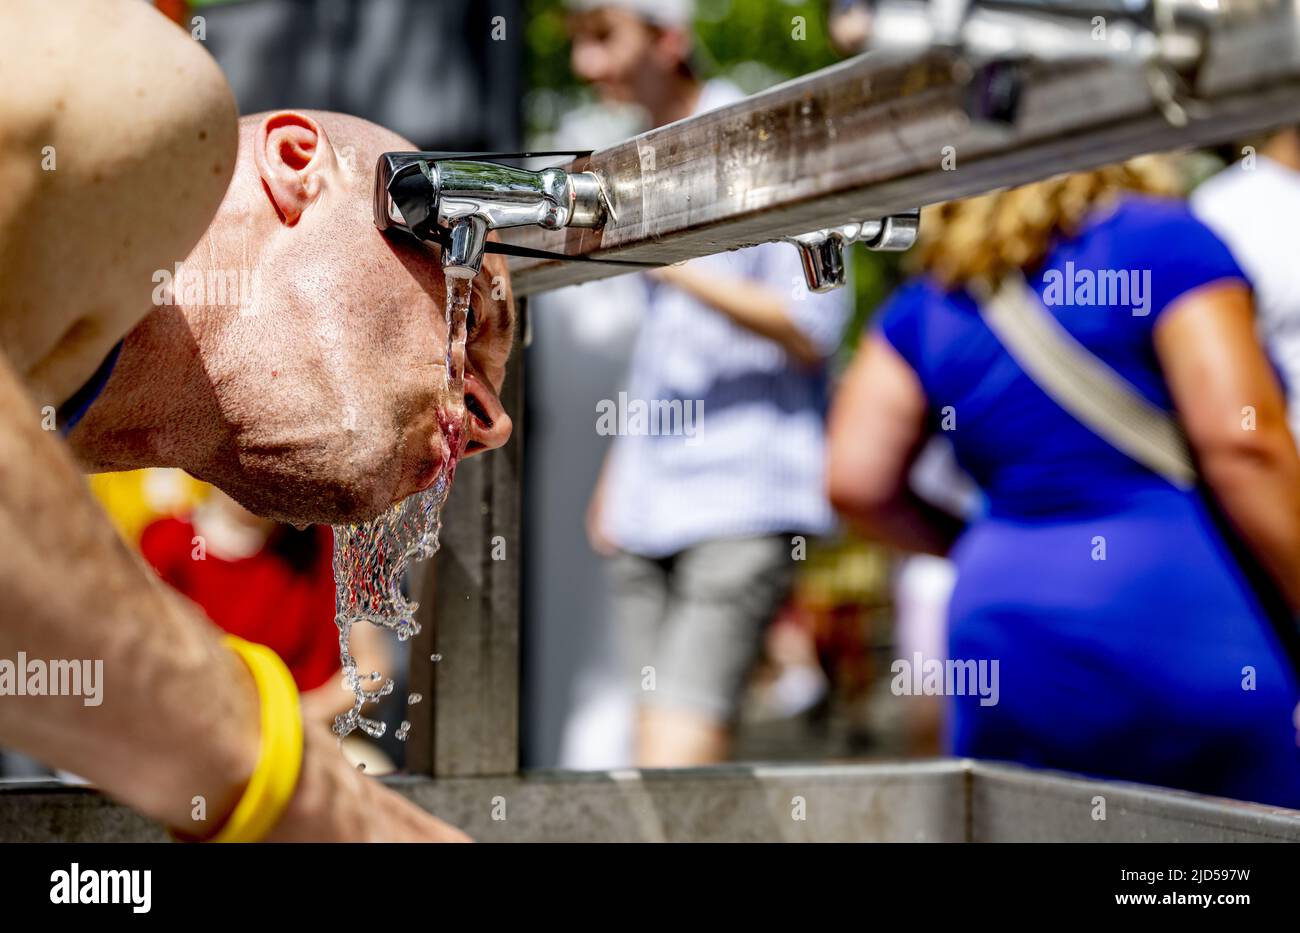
{"x":294,"y":361}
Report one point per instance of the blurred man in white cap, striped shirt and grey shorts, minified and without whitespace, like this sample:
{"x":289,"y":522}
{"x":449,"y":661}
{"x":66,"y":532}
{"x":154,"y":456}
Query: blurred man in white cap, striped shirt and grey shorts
{"x":699,"y":528}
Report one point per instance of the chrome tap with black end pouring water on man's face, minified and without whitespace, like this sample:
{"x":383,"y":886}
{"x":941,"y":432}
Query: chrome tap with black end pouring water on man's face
{"x":454,"y":202}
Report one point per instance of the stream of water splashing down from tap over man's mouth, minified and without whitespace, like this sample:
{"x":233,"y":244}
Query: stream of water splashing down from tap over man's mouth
{"x":371,"y":559}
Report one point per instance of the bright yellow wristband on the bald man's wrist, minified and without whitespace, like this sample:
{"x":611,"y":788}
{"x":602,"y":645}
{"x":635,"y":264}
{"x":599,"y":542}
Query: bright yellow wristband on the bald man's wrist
{"x":280,"y":756}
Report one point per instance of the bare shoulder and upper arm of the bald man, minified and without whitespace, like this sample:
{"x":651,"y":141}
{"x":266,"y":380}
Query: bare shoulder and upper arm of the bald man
{"x":118,"y":141}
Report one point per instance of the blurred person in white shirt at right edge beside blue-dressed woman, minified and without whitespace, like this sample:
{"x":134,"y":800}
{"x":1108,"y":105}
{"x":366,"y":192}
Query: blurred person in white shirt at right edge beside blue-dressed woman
{"x":1254,"y":206}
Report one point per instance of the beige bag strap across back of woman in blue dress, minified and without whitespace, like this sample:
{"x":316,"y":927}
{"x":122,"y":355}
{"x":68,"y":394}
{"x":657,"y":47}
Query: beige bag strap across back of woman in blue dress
{"x":1094,"y":393}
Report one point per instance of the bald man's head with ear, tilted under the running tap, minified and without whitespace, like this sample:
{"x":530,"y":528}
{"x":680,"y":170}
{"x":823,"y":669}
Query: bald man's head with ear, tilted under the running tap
{"x":326,"y":381}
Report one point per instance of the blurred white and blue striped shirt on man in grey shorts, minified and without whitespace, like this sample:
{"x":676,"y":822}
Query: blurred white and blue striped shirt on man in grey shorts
{"x":753,"y":459}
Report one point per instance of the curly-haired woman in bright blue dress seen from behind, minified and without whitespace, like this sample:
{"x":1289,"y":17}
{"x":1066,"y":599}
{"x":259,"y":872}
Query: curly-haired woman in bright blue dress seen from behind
{"x":1132,"y":641}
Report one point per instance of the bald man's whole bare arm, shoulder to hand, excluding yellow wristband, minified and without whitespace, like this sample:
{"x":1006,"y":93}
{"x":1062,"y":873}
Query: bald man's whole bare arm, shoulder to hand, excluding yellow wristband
{"x":118,"y":140}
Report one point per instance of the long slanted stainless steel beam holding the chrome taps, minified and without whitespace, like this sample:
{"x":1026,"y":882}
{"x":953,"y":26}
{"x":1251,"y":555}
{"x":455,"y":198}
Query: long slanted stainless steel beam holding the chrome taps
{"x":883,"y":133}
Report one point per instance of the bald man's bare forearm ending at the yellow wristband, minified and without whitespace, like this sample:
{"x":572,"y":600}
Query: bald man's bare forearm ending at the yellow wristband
{"x":177,"y":717}
